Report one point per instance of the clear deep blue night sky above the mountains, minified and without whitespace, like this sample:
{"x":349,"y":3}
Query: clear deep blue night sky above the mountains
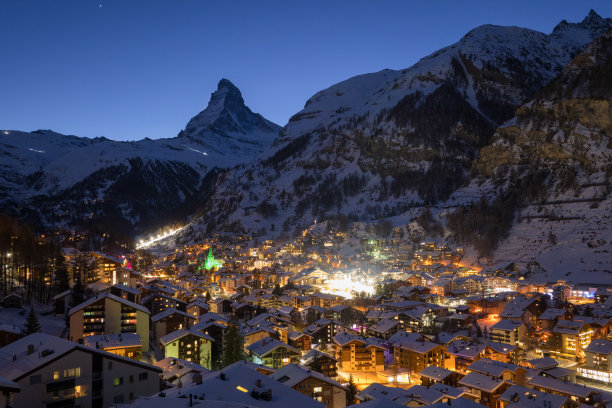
{"x":129,"y":69}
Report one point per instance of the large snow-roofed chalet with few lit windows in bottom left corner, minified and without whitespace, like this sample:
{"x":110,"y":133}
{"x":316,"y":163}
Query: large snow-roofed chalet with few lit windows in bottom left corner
{"x":53,"y":372}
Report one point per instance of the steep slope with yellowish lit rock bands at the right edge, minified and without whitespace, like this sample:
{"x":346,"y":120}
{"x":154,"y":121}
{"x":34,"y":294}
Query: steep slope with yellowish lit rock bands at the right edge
{"x":553,"y":161}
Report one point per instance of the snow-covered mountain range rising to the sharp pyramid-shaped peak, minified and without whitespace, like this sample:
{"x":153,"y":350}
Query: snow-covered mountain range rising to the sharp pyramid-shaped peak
{"x":51,"y":179}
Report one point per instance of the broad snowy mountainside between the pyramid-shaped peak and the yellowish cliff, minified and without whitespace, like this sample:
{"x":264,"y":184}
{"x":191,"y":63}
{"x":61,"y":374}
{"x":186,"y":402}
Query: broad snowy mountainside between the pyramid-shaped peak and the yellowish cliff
{"x":378,"y":144}
